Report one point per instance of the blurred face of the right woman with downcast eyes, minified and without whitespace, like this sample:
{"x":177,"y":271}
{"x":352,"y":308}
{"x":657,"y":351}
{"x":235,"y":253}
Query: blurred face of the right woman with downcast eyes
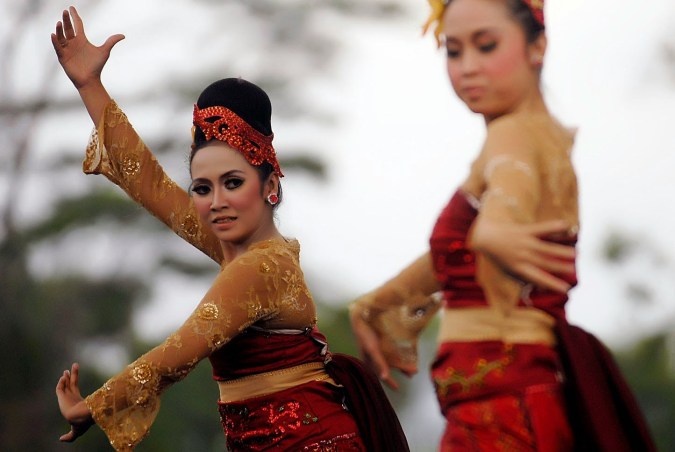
{"x":490,"y":65}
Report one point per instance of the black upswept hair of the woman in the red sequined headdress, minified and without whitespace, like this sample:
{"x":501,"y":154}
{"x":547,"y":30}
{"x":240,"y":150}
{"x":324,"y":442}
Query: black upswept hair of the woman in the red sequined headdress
{"x":249,"y":102}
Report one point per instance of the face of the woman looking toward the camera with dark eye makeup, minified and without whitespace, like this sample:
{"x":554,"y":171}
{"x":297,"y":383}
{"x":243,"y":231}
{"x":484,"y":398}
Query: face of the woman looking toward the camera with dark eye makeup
{"x":229,"y":196}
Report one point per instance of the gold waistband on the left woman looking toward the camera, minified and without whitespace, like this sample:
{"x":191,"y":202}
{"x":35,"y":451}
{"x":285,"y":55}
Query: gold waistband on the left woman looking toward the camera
{"x":271,"y":382}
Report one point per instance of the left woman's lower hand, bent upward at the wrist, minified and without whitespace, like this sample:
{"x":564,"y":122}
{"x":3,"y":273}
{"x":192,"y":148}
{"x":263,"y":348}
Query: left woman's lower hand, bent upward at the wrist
{"x":72,"y":405}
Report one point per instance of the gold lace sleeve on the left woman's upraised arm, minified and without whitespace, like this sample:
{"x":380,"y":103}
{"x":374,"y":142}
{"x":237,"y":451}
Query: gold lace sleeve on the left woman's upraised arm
{"x":116,"y":151}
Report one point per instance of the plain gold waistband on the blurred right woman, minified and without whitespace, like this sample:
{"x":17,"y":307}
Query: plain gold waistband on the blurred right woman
{"x":520,"y":325}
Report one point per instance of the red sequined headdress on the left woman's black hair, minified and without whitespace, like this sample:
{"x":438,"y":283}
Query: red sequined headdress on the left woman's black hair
{"x":229,"y":128}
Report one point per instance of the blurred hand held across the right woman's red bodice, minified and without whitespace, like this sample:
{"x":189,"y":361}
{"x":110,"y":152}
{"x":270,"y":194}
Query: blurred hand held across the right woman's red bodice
{"x":521,"y":251}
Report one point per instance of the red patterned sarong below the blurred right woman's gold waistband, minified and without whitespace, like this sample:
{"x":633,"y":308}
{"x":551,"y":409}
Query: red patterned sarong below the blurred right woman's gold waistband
{"x":498,"y":397}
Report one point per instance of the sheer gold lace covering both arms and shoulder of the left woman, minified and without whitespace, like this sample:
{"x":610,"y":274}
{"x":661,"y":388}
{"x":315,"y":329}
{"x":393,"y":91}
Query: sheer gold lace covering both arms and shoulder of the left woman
{"x":264,"y":286}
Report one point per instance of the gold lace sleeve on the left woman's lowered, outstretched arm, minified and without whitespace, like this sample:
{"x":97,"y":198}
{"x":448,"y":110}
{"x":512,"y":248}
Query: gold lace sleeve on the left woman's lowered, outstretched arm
{"x":252,"y":288}
